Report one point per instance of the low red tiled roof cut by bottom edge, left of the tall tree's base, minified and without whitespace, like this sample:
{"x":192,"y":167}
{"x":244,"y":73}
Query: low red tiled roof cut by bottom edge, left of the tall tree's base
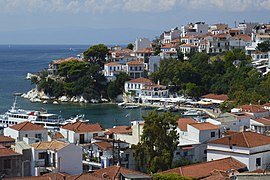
{"x":113,"y":172}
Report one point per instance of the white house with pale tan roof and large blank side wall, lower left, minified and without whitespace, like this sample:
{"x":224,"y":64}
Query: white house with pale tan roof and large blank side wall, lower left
{"x":56,"y":156}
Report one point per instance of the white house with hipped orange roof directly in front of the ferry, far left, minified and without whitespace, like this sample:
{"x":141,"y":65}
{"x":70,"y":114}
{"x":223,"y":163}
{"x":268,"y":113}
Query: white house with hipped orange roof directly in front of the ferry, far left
{"x":27,"y":131}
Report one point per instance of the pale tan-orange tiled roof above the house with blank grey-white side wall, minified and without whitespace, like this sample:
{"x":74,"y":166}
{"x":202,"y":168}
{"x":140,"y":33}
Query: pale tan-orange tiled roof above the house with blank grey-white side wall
{"x":53,"y":145}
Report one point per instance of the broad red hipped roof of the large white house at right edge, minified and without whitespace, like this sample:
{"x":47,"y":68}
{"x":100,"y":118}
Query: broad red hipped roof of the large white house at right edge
{"x":243,"y":139}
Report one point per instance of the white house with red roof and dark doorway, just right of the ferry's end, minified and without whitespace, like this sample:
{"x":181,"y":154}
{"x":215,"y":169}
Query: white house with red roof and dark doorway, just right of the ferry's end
{"x":80,"y":132}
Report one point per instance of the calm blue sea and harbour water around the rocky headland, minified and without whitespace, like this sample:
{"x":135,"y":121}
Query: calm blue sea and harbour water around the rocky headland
{"x":17,"y":60}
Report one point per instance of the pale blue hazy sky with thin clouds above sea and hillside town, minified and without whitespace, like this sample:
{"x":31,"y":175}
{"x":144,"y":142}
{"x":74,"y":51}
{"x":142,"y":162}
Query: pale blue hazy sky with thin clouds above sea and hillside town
{"x":115,"y":21}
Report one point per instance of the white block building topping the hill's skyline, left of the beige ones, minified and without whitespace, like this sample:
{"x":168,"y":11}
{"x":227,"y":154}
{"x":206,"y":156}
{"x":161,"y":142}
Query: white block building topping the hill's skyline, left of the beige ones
{"x":198,"y":28}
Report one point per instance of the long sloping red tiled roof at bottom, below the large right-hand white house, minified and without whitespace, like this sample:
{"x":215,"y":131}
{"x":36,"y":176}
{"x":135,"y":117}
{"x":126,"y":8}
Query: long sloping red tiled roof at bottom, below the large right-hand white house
{"x":204,"y":169}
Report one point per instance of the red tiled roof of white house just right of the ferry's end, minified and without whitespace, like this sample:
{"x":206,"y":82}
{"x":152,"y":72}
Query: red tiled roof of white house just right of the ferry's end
{"x":83,"y":127}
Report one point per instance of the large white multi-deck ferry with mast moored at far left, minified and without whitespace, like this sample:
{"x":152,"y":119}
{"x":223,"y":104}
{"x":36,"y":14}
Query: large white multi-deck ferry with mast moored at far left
{"x":15,"y":116}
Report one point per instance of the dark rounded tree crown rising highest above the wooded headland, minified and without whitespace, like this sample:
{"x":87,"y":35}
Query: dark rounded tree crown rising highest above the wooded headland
{"x":96,"y":54}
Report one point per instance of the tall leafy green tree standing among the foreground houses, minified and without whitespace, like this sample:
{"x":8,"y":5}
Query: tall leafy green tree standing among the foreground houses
{"x":158,"y":142}
